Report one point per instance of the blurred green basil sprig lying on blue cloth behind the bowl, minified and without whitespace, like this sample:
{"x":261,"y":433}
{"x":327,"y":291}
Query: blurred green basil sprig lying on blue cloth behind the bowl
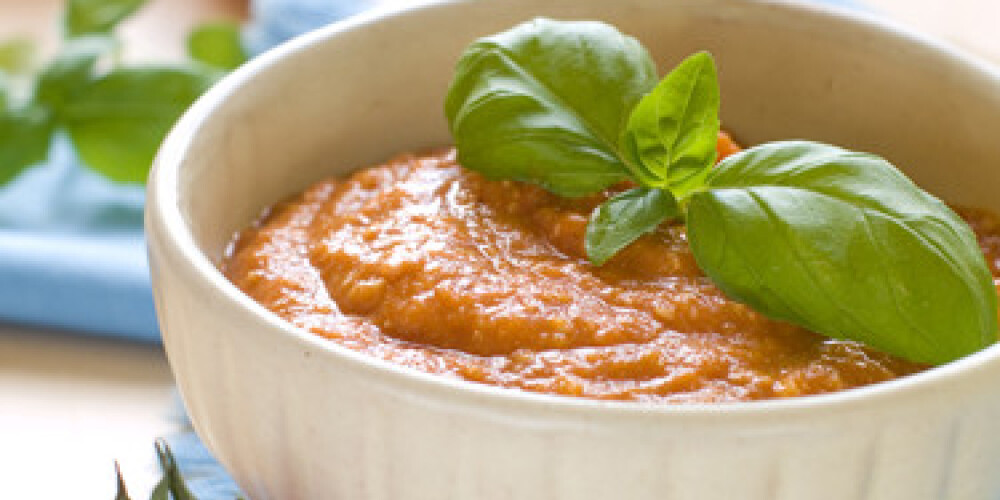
{"x":115,"y":115}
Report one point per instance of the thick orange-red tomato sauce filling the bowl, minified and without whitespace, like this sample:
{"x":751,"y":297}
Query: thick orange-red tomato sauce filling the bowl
{"x":425,"y":264}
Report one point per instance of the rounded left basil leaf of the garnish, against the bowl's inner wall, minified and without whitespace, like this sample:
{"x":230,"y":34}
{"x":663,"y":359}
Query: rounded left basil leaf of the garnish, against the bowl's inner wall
{"x":546,"y":102}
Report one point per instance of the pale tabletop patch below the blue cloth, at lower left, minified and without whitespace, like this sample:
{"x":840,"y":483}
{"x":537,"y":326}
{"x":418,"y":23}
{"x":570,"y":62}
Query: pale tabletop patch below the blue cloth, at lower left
{"x":70,"y":406}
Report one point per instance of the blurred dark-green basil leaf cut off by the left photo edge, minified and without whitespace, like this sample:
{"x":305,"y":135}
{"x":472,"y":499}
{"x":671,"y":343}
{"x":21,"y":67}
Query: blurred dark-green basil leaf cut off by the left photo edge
{"x":24,"y":140}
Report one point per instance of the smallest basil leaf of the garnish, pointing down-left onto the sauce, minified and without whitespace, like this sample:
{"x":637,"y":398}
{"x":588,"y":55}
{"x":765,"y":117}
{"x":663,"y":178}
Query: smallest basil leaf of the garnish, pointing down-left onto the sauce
{"x":624,"y":218}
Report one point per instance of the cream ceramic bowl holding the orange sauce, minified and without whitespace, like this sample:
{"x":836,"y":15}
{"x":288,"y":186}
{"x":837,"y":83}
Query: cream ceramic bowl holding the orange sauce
{"x":293,"y":416}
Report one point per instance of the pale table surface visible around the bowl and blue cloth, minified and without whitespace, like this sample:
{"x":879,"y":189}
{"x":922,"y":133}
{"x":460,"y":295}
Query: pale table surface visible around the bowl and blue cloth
{"x":70,"y":406}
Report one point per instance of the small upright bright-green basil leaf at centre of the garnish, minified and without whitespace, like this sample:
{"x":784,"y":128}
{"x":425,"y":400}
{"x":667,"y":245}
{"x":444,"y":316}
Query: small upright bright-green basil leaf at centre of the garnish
{"x":672,"y":133}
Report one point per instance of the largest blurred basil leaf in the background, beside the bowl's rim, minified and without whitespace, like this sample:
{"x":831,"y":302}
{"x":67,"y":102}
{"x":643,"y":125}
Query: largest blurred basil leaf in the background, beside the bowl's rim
{"x":117,"y":121}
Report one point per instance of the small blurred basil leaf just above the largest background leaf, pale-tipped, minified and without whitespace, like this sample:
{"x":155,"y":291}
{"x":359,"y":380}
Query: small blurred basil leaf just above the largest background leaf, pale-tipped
{"x":71,"y":70}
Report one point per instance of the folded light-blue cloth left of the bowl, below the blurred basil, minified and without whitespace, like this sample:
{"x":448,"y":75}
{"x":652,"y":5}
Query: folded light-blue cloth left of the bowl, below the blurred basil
{"x":72,"y":254}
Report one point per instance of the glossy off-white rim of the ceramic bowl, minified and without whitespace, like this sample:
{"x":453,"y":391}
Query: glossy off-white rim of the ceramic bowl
{"x":163,"y":207}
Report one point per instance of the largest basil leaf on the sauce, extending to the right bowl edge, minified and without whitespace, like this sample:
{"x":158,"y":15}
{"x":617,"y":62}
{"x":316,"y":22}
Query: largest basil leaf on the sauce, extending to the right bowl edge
{"x":844,"y":244}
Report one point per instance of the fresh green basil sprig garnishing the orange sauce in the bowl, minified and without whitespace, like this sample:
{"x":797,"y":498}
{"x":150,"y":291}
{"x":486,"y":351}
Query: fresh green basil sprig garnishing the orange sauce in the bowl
{"x":839,"y":242}
